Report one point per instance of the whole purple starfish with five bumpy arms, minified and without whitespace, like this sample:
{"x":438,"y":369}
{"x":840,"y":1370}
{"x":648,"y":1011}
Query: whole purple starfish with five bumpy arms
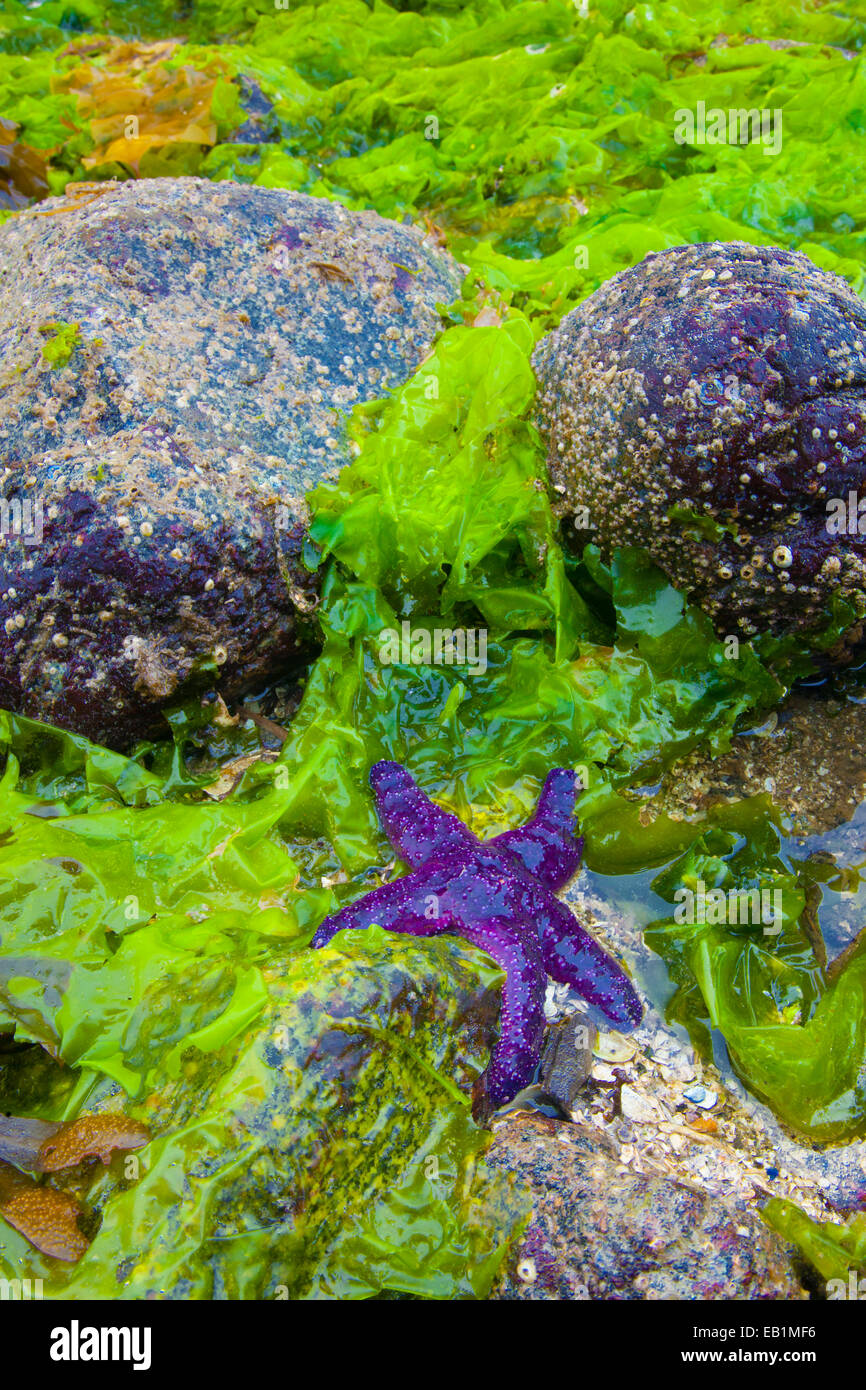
{"x":498,"y":896}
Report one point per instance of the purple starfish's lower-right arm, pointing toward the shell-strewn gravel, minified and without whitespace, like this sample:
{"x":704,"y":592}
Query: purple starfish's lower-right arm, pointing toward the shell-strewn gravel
{"x":573,"y":957}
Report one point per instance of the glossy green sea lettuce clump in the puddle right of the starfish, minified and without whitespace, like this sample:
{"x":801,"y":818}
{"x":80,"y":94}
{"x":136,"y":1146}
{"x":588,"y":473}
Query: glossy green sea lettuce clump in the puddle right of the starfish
{"x":794,"y":1033}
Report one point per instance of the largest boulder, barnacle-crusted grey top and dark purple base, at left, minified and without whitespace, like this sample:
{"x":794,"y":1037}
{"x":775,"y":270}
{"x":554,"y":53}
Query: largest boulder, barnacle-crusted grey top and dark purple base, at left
{"x":155,"y":482}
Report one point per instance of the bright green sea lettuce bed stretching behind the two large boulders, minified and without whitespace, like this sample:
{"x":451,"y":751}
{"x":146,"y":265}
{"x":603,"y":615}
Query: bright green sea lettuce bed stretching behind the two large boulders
{"x":412,"y":112}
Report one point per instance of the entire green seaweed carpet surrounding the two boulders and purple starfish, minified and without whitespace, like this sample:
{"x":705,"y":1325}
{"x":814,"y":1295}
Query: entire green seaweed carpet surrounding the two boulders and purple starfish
{"x":154,"y":938}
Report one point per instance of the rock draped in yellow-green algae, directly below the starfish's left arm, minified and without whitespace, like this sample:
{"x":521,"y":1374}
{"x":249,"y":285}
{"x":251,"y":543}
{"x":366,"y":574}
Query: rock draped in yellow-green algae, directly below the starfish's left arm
{"x":275,"y":1159}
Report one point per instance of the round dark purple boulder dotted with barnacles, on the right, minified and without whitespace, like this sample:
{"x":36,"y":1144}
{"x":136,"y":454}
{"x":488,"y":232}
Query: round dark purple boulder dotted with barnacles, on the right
{"x":708,"y":405}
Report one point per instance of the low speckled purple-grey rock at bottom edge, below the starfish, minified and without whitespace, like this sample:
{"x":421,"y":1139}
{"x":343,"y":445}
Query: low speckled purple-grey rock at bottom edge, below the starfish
{"x":601,"y":1232}
